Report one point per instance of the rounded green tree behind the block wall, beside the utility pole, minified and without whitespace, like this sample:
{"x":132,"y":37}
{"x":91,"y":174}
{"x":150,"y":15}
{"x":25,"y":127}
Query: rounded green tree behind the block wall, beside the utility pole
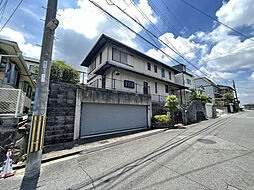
{"x":61,"y":72}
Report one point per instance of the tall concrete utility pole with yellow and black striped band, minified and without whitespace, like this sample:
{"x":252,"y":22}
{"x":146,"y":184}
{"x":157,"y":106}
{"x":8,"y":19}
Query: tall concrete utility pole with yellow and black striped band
{"x":38,"y":122}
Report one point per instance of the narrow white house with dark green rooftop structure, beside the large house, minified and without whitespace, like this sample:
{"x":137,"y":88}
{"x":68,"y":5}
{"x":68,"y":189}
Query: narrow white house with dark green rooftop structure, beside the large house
{"x":186,"y":79}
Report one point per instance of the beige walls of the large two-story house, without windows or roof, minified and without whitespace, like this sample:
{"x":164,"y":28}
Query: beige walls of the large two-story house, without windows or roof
{"x":134,"y":63}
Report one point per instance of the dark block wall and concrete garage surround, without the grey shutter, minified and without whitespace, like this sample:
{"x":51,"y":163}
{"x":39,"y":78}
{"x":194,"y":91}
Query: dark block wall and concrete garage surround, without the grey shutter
{"x":64,"y":108}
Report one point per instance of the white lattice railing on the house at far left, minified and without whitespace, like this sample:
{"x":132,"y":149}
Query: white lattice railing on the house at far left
{"x":13,"y":101}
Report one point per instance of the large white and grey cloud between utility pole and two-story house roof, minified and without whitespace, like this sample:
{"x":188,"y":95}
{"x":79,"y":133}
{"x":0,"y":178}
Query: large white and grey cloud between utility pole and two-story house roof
{"x":80,"y":27}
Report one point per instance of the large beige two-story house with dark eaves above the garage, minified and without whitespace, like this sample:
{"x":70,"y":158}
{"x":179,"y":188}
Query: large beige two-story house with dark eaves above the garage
{"x":114,"y":65}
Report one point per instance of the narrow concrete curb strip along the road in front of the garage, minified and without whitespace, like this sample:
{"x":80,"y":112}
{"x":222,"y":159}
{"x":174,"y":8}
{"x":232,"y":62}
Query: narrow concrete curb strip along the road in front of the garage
{"x":90,"y":150}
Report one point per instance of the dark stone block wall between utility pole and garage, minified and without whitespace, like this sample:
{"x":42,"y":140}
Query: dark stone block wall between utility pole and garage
{"x":60,"y":113}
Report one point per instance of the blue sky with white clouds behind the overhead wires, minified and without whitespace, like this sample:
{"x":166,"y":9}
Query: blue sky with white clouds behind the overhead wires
{"x":219,"y":52}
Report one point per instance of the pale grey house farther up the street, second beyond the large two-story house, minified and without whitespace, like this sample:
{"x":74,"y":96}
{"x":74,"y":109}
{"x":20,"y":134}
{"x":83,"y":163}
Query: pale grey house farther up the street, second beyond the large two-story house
{"x":208,"y":87}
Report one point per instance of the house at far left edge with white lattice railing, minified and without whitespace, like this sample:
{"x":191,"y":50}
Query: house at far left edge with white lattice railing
{"x":16,"y":84}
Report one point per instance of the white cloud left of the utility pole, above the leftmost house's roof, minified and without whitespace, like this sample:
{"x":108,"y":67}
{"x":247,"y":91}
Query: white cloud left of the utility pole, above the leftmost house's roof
{"x":28,"y":49}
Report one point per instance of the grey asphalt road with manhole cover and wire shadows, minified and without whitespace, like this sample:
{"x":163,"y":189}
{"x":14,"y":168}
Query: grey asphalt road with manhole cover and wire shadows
{"x":214,"y":154}
